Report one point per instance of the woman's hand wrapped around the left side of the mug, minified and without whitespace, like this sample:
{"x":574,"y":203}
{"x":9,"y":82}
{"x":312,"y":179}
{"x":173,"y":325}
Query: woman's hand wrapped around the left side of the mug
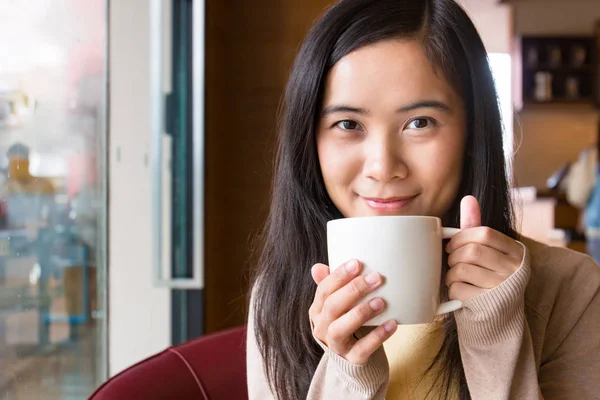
{"x":335,"y":320}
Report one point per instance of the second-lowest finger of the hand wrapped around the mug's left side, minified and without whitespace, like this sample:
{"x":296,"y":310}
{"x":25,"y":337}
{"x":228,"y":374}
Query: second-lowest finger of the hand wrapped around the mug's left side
{"x":340,"y":333}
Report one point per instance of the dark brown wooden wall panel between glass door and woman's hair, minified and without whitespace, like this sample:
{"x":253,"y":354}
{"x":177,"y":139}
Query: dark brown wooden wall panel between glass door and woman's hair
{"x":250,"y":48}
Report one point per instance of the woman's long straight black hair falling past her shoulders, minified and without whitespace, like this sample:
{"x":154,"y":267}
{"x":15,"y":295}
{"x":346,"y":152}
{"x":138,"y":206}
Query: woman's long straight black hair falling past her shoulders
{"x":295,"y":234}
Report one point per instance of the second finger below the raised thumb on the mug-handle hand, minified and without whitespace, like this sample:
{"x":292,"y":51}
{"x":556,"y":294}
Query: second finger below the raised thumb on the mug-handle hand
{"x":482,"y":256}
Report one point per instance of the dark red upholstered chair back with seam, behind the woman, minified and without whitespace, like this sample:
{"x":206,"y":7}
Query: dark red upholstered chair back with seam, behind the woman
{"x":212,"y":367}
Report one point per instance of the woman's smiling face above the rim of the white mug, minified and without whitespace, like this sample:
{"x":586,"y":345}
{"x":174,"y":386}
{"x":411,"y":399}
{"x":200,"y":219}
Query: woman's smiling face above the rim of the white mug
{"x":391,"y":136}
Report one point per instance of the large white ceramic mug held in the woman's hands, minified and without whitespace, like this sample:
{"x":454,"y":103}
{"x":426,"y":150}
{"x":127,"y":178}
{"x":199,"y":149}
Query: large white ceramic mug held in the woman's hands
{"x":406,"y":251}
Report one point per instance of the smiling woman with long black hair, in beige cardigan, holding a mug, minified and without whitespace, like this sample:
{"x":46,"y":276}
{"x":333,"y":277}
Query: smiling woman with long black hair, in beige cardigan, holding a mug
{"x":391,"y":109}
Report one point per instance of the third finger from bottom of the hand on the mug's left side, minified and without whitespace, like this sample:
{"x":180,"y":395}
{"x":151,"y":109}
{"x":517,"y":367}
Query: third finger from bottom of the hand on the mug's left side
{"x":339,"y":302}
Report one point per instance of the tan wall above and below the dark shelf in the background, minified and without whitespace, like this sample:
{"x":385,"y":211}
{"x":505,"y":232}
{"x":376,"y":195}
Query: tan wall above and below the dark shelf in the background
{"x":549,"y":138}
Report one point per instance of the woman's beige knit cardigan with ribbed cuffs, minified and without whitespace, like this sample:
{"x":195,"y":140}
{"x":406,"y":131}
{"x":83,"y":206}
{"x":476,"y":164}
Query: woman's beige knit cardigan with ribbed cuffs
{"x":536,"y":336}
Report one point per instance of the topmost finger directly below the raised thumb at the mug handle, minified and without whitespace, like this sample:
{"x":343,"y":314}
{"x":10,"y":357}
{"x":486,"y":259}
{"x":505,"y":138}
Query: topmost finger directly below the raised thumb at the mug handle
{"x":485,"y":236}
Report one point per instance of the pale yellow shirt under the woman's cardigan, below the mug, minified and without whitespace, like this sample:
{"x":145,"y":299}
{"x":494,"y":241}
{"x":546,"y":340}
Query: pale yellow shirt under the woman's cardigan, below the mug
{"x":410,"y":352}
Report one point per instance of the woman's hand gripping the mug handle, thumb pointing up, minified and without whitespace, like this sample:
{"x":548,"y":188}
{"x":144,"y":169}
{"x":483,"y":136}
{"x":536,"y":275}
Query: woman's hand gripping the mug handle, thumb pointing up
{"x":480,"y":258}
